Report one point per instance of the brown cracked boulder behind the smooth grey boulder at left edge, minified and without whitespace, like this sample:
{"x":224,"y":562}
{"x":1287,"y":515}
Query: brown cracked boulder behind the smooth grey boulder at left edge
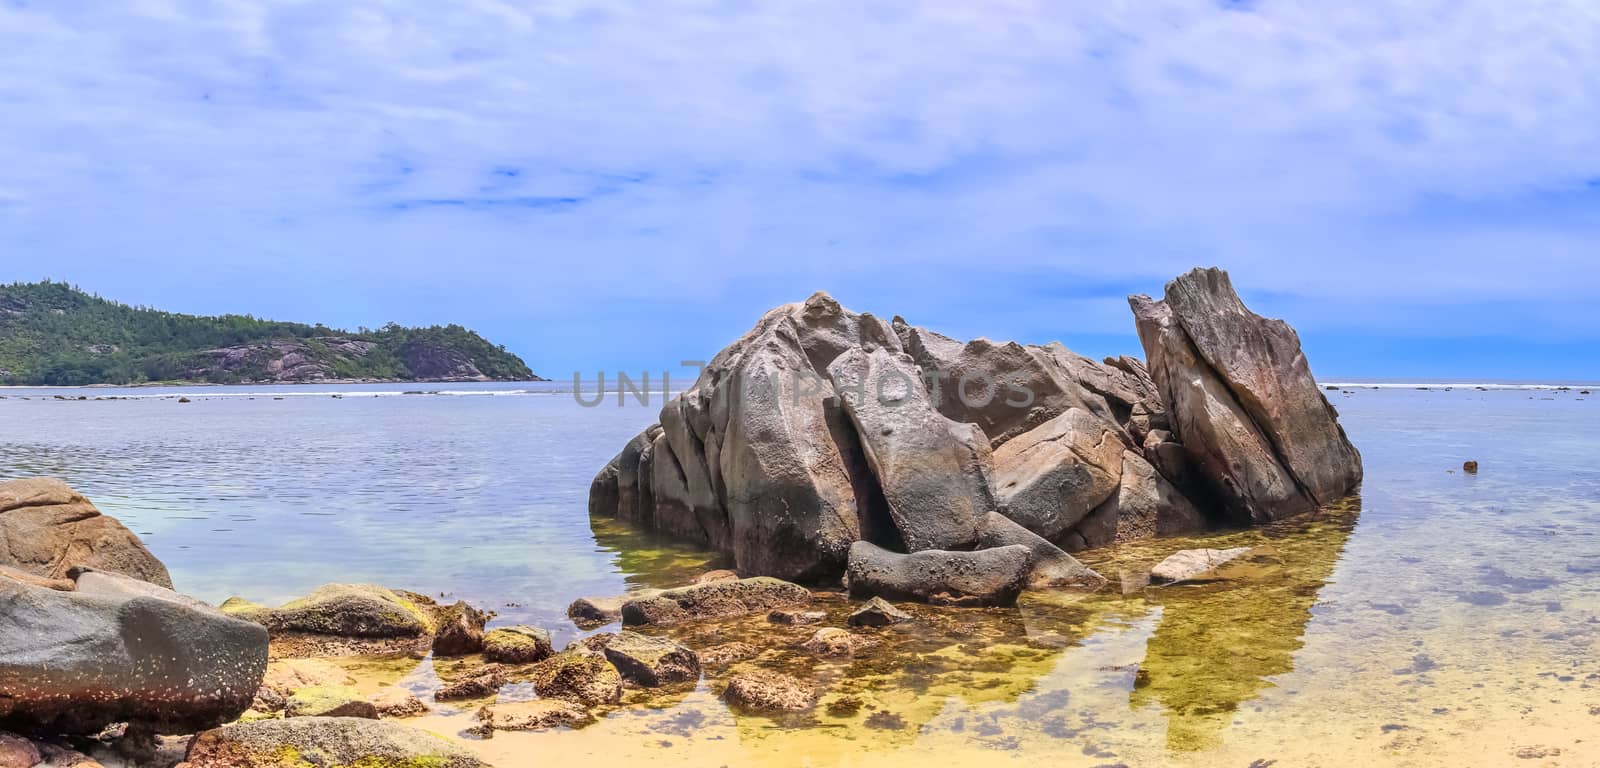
{"x":47,"y":529}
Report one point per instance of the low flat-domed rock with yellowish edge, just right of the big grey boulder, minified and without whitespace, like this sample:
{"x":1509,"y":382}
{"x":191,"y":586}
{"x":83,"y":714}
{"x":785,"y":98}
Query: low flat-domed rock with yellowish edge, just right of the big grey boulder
{"x":343,"y":610}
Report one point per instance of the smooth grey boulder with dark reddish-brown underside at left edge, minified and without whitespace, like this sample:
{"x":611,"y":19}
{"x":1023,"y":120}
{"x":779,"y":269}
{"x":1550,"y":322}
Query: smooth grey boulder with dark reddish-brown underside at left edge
{"x":78,"y":662}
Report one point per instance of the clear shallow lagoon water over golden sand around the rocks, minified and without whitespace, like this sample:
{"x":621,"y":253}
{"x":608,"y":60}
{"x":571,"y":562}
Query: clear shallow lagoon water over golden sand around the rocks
{"x":1442,"y":620}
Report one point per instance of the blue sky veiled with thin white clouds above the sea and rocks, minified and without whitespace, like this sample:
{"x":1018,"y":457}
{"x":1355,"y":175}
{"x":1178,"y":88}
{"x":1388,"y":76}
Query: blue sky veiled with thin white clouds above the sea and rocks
{"x":1415,"y":186}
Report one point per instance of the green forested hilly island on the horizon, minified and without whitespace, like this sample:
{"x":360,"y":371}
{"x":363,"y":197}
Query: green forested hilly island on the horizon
{"x":57,"y":335}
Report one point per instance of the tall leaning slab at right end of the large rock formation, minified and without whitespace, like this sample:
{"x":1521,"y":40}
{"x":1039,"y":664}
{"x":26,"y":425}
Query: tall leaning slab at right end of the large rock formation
{"x":1265,"y":369}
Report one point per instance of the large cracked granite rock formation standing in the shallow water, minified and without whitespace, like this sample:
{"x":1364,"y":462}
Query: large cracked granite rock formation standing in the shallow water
{"x":825,"y":428}
